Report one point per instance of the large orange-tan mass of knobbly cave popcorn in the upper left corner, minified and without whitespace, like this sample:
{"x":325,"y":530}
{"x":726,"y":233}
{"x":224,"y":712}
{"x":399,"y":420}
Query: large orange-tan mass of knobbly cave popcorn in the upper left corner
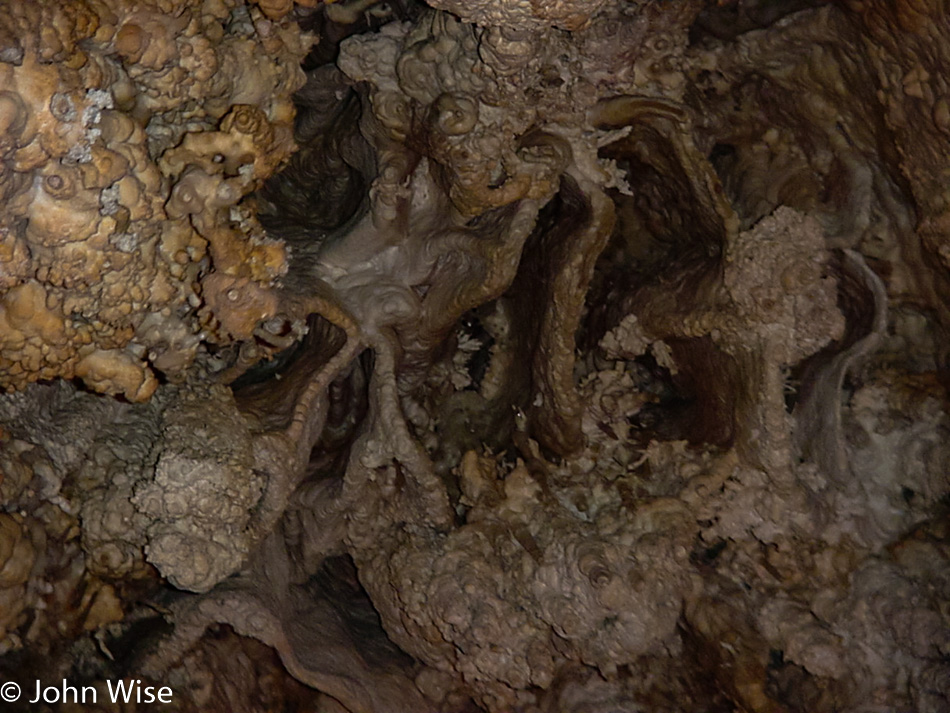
{"x":129,"y":134}
